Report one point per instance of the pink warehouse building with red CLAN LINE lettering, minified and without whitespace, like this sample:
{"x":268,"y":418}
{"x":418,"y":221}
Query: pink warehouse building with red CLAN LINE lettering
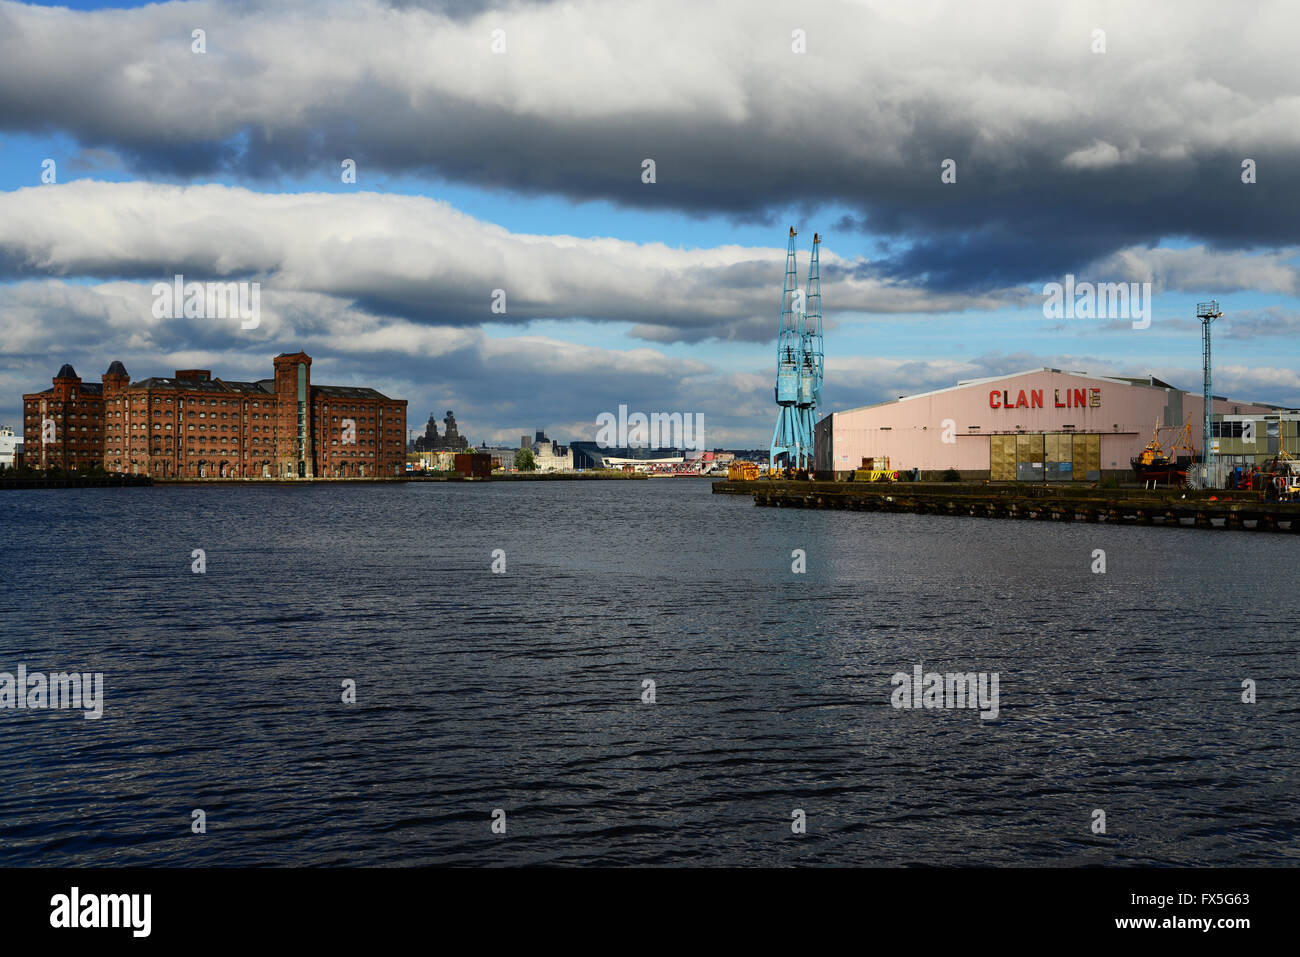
{"x":1045,"y":425}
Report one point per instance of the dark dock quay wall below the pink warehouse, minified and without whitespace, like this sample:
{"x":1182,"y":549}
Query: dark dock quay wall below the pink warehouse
{"x":1164,"y":508}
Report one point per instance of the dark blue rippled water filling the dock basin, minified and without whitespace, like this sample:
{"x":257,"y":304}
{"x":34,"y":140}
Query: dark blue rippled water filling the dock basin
{"x":523,"y":691}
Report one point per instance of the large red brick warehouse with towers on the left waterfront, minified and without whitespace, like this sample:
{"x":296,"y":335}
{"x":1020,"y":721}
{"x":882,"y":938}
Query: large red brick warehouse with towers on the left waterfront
{"x":197,"y":427}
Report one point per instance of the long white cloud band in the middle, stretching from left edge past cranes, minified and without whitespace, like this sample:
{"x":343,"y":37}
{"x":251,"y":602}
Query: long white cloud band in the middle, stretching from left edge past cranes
{"x":421,"y":261}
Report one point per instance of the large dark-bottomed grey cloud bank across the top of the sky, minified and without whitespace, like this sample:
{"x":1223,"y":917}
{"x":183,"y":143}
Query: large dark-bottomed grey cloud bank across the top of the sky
{"x":1064,"y":155}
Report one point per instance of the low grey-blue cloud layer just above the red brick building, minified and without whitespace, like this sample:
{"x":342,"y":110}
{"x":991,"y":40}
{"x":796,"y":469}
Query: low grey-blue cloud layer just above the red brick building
{"x":501,"y":388}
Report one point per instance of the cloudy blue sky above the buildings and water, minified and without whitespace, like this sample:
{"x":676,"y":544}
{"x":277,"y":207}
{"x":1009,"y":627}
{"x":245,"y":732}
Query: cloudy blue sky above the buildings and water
{"x":502,"y":146}
